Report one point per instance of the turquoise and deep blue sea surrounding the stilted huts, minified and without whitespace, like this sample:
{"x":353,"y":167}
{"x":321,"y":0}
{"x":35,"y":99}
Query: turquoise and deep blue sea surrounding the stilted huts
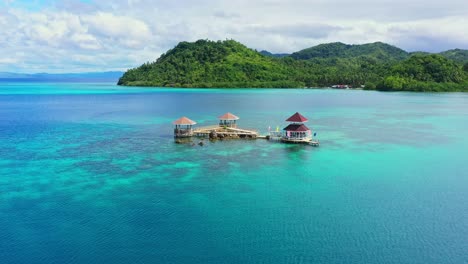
{"x":89,"y":173}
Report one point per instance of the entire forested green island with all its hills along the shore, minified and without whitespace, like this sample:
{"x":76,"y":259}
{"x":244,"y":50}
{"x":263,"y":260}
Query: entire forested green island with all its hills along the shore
{"x":230,"y":64}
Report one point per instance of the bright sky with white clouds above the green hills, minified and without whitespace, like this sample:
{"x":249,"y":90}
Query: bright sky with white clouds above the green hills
{"x":90,"y":35}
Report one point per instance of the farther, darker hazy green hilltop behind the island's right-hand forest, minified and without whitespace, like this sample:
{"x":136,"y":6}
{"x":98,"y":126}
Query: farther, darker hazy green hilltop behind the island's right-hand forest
{"x":377,"y":50}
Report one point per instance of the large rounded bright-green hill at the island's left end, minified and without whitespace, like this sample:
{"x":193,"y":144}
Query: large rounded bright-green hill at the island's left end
{"x":211,"y":64}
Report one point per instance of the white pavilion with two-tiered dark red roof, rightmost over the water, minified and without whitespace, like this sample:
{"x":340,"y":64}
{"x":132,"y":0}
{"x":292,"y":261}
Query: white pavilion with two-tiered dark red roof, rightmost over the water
{"x":296,"y":131}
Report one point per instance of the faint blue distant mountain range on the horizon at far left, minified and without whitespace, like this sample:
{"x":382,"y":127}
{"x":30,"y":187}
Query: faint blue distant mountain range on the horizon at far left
{"x":111,"y":76}
